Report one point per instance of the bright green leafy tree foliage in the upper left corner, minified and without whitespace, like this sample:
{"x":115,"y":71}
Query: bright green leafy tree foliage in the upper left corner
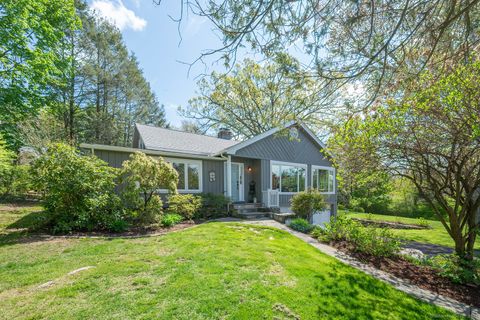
{"x":30,"y":33}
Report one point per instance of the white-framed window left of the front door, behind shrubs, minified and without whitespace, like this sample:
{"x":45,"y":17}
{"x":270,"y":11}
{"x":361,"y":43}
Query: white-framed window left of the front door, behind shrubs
{"x":189,"y":174}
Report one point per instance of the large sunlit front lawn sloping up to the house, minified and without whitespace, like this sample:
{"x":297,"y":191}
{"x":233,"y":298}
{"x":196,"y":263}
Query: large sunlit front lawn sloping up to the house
{"x":211,"y":271}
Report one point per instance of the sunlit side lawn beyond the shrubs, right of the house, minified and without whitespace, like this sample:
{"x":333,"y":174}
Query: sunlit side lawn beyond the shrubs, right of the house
{"x":436,"y":235}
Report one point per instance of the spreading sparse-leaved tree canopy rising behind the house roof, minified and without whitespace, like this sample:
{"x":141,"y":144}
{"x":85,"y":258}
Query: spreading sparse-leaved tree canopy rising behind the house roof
{"x":255,"y":97}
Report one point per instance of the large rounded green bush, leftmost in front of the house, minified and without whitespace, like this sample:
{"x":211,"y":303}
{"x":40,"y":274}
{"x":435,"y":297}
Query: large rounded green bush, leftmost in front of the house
{"x":79,"y":190}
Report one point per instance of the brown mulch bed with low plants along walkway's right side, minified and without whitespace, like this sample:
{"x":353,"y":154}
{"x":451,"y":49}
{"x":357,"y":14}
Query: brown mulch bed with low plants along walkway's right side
{"x":423,"y":276}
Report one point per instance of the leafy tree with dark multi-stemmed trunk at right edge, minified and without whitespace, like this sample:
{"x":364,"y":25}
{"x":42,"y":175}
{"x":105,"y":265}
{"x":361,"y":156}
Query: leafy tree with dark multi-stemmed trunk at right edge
{"x":433,"y":139}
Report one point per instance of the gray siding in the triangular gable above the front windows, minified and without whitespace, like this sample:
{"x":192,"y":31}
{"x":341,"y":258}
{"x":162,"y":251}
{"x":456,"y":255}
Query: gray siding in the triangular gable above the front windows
{"x":281,"y":148}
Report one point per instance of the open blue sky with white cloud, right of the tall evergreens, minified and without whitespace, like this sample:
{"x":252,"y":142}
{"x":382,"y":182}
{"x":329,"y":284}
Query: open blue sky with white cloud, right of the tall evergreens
{"x":153,"y":37}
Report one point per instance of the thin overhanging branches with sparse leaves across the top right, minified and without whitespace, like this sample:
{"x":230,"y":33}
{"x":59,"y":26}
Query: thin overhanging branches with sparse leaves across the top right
{"x":379,"y":43}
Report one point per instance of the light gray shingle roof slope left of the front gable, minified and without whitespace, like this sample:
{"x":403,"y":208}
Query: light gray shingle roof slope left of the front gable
{"x":161,"y":139}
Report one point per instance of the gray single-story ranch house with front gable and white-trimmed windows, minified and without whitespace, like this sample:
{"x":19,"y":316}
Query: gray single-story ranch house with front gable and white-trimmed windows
{"x":266,"y":170}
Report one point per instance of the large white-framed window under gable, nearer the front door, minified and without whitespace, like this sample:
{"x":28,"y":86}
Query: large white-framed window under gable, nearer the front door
{"x":288,"y":177}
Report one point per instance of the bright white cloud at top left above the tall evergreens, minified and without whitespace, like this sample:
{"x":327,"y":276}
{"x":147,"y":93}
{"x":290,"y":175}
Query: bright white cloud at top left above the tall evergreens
{"x":120,"y":15}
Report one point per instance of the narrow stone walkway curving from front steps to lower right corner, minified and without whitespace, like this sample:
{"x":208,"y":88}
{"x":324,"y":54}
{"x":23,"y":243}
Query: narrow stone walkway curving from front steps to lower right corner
{"x":400,"y":284}
